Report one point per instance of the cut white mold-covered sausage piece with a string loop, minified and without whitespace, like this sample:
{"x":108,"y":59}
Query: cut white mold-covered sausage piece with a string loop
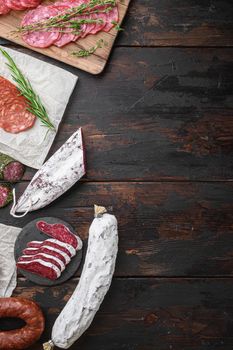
{"x":55,"y":177}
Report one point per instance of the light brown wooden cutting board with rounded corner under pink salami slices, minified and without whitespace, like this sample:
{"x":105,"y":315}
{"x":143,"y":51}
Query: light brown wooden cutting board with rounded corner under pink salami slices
{"x":94,"y":64}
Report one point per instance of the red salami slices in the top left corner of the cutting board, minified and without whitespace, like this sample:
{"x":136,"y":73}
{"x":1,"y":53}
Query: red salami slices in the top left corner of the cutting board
{"x":18,"y":5}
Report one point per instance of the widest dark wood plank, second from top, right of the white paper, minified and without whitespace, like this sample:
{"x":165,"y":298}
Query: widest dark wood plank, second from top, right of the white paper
{"x":157,"y":114}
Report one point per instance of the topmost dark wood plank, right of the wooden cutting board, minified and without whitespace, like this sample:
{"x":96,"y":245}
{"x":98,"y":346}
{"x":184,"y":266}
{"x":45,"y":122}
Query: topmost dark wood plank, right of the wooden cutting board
{"x":182,"y":23}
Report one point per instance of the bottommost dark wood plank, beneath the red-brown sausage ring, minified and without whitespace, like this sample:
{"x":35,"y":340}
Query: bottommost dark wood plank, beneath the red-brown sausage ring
{"x":144,"y":314}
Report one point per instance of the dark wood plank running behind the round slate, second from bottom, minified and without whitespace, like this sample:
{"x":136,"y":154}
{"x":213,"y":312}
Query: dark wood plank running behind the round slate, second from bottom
{"x":166,"y":229}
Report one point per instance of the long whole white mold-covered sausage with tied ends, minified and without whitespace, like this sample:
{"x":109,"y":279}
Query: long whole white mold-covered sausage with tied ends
{"x":94,"y":282}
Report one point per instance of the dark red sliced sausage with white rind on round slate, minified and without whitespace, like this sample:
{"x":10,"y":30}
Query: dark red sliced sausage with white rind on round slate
{"x":49,"y":258}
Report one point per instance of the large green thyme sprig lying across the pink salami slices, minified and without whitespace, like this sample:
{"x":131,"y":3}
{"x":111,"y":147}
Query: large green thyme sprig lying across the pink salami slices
{"x":66,"y":16}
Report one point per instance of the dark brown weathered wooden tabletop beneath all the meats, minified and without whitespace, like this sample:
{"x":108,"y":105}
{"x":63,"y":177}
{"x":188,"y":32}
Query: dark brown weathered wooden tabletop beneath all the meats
{"x":158,"y":126}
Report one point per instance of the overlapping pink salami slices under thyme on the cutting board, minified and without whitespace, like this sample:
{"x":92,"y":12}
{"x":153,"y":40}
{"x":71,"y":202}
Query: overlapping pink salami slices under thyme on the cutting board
{"x":104,"y":21}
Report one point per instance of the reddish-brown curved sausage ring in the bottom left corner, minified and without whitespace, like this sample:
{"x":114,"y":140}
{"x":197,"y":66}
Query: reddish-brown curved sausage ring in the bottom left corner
{"x":30,"y":313}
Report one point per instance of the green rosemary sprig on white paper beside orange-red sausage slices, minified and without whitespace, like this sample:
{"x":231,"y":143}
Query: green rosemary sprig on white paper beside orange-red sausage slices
{"x":24,"y":86}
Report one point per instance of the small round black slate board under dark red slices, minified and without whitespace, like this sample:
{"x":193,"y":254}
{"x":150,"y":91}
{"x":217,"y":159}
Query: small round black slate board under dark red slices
{"x":31,"y":233}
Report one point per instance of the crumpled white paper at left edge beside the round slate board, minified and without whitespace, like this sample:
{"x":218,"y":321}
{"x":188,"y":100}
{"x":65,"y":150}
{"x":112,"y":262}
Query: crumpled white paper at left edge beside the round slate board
{"x":8,"y":273}
